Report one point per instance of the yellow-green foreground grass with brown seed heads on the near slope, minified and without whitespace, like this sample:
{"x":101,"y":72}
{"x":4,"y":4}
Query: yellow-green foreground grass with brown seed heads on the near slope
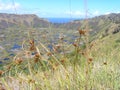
{"x":77,"y":66}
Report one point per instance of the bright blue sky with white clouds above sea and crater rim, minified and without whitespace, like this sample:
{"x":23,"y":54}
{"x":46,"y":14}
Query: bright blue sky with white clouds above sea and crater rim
{"x":60,"y":8}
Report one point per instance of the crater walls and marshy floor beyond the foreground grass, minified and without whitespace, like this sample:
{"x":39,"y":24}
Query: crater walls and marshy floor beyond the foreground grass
{"x":104,"y":27}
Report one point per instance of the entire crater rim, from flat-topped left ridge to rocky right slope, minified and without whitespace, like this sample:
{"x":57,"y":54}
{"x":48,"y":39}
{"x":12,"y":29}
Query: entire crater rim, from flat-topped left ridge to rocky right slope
{"x":101,"y":26}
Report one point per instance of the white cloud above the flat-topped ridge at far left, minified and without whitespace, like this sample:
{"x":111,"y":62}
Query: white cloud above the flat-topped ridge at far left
{"x":9,"y":6}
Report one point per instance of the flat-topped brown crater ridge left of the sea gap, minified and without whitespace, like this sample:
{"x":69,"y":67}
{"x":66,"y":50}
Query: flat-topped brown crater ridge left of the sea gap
{"x":26,"y":20}
